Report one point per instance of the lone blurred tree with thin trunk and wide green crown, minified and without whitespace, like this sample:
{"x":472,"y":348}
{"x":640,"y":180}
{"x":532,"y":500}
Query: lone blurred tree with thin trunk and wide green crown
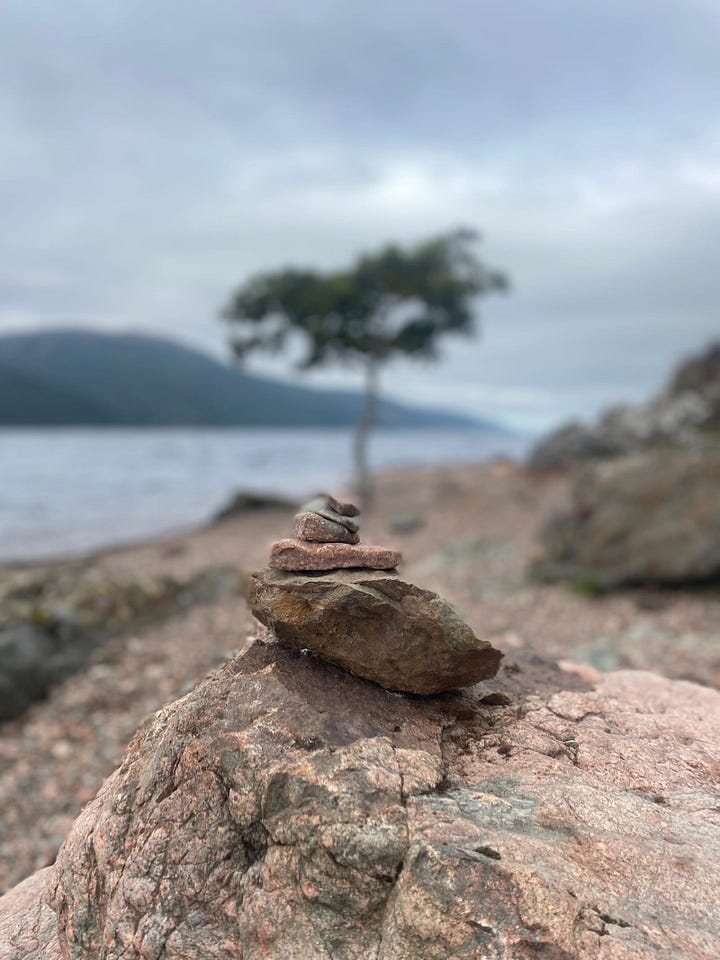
{"x":397,"y":302}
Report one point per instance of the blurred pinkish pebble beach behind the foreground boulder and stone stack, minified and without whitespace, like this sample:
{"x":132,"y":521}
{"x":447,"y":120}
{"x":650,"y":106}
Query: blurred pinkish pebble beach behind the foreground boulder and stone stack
{"x":474,"y":535}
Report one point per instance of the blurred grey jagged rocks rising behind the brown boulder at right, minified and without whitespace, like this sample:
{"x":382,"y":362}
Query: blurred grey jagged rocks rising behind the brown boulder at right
{"x":690,"y":403}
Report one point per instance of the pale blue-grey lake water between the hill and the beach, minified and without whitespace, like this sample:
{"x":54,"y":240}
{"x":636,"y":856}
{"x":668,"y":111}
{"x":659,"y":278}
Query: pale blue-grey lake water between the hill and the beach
{"x":67,"y":491}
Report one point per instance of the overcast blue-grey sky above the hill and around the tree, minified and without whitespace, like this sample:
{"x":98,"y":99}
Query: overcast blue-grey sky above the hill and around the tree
{"x":154,"y":155}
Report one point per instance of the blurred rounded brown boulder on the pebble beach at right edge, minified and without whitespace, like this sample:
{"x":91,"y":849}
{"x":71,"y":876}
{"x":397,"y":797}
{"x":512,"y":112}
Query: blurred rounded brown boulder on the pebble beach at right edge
{"x":650,"y":518}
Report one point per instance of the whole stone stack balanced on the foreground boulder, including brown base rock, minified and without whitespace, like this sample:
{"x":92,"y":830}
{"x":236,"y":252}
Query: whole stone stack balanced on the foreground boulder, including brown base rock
{"x":326,"y":593}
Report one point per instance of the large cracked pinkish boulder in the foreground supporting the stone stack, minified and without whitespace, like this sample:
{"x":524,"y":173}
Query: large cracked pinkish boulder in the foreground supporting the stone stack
{"x":284,"y":809}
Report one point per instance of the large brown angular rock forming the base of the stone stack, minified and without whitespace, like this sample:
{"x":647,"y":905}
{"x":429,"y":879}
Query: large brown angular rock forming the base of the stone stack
{"x":376,"y":626}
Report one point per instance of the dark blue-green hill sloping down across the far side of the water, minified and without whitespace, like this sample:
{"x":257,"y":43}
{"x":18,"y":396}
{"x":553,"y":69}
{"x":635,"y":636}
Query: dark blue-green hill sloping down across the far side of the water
{"x":80,"y":378}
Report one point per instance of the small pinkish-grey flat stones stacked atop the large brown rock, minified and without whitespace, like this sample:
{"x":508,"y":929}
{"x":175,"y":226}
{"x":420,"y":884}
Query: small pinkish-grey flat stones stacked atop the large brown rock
{"x":327,"y":538}
